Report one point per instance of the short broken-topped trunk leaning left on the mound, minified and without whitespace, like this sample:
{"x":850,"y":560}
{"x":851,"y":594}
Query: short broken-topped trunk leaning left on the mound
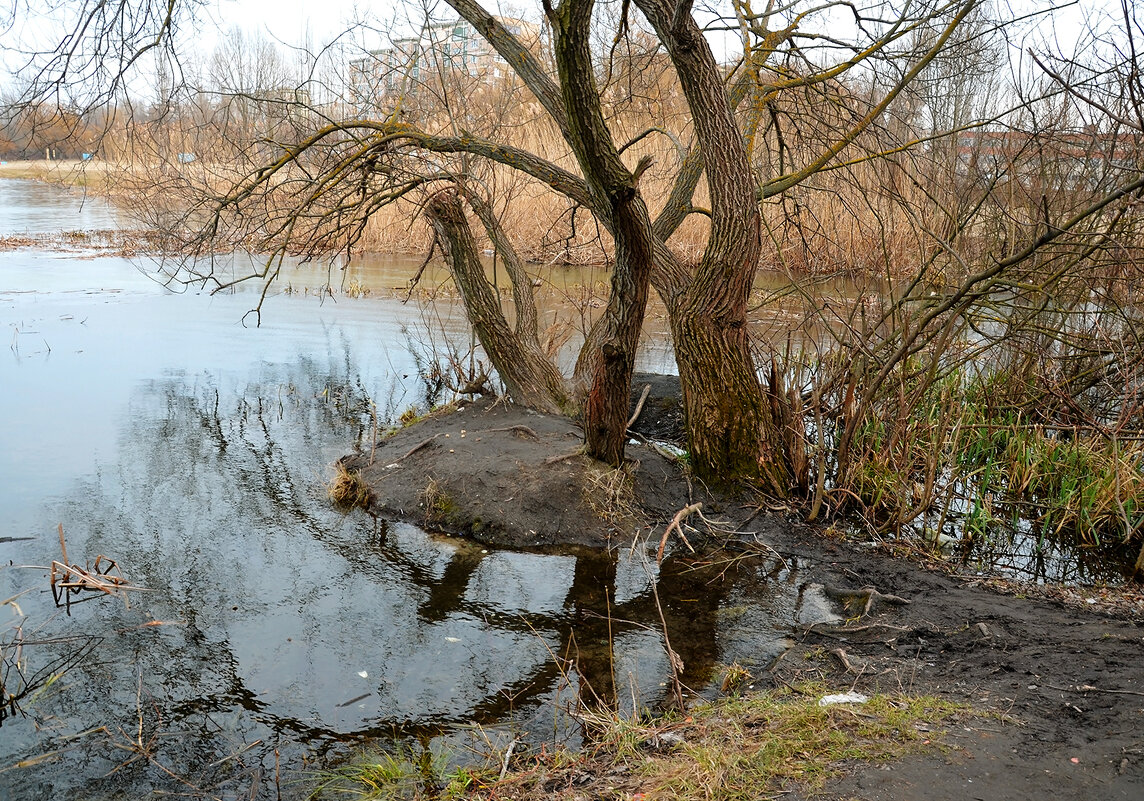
{"x":530,"y":378}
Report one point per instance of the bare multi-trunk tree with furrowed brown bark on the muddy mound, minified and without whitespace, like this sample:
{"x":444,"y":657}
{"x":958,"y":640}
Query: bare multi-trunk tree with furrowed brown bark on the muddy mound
{"x":332,"y":180}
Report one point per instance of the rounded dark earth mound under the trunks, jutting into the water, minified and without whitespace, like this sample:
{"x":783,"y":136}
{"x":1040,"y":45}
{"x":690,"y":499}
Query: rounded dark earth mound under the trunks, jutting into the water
{"x":506,"y":475}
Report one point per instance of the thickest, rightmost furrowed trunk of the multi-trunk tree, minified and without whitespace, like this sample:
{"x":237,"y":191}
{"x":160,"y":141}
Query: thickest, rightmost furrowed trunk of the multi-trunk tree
{"x":732,"y":433}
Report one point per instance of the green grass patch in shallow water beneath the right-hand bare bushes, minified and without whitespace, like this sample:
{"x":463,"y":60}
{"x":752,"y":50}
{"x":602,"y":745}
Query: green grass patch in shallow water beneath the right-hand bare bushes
{"x":963,"y":446}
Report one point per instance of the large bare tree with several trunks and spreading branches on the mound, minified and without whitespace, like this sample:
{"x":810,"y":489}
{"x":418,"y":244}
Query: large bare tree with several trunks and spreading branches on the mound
{"x":808,"y":84}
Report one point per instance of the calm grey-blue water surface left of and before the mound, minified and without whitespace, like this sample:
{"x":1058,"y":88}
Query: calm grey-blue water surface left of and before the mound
{"x":277,"y":637}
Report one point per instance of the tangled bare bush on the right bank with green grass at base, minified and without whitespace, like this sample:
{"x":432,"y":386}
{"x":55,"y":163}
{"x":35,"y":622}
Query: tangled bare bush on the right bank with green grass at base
{"x":999,"y":386}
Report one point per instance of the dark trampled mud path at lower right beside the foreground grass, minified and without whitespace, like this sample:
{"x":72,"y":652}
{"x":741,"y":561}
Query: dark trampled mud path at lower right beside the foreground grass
{"x":1061,"y":679}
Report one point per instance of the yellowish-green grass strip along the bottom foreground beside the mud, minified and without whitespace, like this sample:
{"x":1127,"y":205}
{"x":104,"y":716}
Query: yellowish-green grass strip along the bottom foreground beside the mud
{"x":738,"y":748}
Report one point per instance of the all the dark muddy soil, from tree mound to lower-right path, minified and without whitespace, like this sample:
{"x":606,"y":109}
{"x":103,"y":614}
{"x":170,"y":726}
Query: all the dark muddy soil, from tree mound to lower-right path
{"x":1058,"y":673}
